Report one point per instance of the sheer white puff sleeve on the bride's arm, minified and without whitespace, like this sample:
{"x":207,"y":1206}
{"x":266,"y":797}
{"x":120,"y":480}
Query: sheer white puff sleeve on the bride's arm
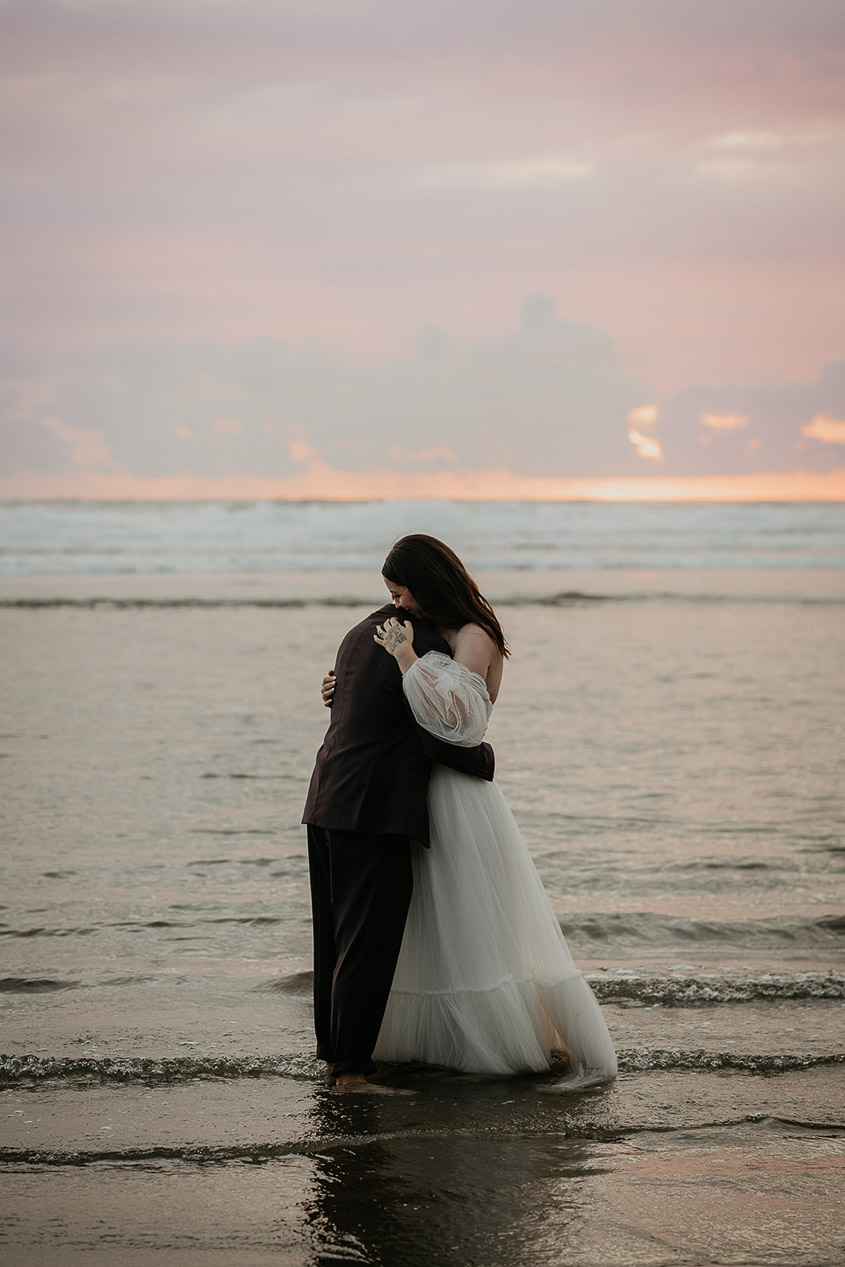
{"x":448,"y":700}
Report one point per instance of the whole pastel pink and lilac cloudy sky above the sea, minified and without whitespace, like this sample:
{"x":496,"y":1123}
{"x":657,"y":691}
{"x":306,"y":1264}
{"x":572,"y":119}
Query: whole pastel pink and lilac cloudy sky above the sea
{"x":422,"y":248}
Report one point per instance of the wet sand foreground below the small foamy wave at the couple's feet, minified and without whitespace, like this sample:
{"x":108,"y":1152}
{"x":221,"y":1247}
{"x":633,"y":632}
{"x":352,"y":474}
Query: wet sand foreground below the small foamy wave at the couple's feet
{"x":681,"y":1169}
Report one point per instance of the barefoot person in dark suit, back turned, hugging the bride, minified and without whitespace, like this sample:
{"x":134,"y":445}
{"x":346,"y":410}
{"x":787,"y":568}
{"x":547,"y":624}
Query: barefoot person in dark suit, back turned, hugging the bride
{"x":367,"y":804}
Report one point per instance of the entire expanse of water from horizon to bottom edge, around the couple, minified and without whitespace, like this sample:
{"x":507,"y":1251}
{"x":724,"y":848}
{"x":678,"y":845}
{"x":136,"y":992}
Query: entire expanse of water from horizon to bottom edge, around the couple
{"x":670,"y":737}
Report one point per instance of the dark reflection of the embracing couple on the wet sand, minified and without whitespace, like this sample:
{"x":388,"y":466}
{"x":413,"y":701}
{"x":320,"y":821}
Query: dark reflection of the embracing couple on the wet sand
{"x":438,"y":1197}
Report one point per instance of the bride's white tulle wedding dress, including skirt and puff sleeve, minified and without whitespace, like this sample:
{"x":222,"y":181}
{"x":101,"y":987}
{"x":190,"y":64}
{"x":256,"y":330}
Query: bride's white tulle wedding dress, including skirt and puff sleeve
{"x":486,"y":983}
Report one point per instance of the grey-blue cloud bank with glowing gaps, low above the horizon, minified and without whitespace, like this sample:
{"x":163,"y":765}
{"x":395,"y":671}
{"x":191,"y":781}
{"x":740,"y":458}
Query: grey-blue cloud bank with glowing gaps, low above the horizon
{"x":547,"y":401}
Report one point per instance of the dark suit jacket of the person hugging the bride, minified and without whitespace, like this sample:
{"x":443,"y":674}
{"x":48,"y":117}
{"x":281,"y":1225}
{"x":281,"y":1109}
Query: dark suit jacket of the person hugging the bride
{"x":372,"y":774}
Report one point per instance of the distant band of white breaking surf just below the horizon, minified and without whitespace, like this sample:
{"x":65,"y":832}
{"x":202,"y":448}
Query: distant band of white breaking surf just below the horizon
{"x":259,"y":538}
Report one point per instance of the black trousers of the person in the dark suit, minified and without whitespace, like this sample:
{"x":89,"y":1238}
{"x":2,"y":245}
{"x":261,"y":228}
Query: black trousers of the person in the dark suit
{"x":360,"y":895}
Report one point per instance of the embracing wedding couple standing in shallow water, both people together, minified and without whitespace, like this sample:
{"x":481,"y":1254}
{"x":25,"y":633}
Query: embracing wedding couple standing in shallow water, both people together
{"x":449,"y":955}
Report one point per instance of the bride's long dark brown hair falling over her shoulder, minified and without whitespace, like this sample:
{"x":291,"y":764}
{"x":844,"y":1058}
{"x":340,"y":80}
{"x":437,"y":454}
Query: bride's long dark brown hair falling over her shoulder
{"x":442,"y":585}
